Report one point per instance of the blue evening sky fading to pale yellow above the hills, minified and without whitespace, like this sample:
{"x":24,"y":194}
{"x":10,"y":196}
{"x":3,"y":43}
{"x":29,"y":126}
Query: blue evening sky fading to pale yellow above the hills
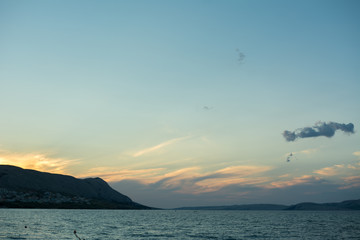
{"x":186,"y":103}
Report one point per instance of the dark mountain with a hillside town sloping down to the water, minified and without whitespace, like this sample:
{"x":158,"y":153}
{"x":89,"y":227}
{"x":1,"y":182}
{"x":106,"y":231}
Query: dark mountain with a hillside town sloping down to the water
{"x":29,"y":188}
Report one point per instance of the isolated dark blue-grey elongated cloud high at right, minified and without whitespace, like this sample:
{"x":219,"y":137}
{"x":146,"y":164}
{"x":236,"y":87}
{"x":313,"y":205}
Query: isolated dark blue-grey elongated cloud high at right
{"x":320,"y":129}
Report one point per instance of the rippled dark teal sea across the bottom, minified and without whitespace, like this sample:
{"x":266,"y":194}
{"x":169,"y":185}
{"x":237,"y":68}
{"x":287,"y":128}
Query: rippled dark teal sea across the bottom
{"x":177,"y":224}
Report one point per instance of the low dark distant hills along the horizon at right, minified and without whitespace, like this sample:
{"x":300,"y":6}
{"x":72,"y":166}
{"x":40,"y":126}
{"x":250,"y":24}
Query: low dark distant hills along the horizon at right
{"x":345,"y":205}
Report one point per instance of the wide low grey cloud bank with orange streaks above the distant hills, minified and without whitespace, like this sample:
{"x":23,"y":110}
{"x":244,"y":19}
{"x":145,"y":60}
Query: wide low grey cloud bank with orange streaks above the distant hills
{"x":233,"y":185}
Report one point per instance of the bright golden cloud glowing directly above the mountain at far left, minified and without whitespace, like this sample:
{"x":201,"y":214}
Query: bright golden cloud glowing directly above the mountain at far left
{"x":37,"y":161}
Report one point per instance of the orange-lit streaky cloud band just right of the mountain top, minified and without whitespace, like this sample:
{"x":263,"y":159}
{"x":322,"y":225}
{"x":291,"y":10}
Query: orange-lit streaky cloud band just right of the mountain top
{"x":191,"y":180}
